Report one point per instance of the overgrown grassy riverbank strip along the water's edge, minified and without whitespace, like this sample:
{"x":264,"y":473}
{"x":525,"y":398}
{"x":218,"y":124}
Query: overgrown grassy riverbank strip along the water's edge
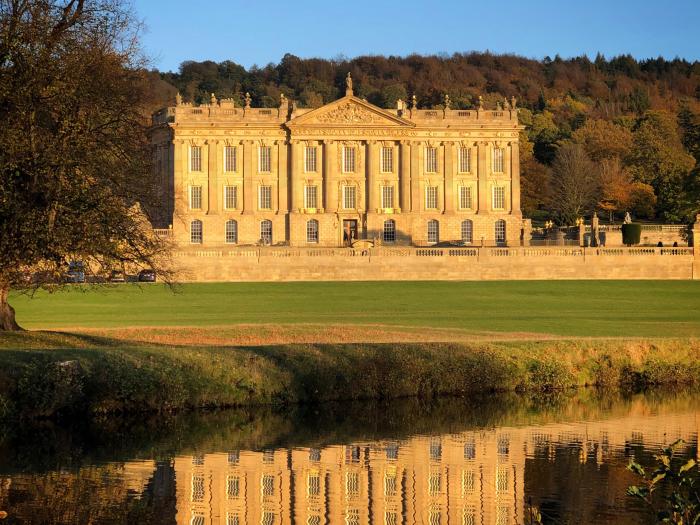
{"x":43,"y":374}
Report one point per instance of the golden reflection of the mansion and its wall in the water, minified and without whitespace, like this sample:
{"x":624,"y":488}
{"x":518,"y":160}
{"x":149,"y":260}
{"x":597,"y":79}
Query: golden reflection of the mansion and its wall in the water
{"x":474,"y":477}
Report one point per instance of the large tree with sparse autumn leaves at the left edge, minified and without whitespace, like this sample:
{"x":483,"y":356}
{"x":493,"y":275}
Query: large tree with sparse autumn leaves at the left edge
{"x":75,"y":162}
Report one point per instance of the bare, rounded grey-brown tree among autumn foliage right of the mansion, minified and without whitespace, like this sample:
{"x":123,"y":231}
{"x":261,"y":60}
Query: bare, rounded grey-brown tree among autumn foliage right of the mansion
{"x":576,"y":184}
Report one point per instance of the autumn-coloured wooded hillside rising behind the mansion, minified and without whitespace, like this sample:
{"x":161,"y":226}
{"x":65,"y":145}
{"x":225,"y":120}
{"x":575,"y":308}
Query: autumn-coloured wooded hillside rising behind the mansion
{"x":628,"y":129}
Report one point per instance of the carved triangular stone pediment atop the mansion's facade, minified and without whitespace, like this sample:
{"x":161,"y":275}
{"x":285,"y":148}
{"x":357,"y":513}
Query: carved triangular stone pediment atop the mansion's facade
{"x":349,"y":111}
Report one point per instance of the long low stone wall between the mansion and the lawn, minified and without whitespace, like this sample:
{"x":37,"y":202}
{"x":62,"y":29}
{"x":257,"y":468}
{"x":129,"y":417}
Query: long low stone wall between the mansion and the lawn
{"x":396,"y":264}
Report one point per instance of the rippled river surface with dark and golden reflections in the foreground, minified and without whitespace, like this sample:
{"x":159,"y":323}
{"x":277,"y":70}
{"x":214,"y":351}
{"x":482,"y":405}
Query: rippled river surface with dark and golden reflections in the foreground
{"x":446,"y":462}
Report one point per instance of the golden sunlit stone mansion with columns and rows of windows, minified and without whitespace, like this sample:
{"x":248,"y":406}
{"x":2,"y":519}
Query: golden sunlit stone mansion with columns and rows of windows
{"x":337,"y":174}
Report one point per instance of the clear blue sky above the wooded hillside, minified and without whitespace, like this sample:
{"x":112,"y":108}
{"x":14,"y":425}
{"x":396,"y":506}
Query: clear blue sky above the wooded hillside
{"x":258,"y":32}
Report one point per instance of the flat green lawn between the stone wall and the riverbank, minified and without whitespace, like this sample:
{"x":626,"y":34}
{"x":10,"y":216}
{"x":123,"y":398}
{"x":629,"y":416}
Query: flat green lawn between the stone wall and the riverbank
{"x":563,"y":308}
